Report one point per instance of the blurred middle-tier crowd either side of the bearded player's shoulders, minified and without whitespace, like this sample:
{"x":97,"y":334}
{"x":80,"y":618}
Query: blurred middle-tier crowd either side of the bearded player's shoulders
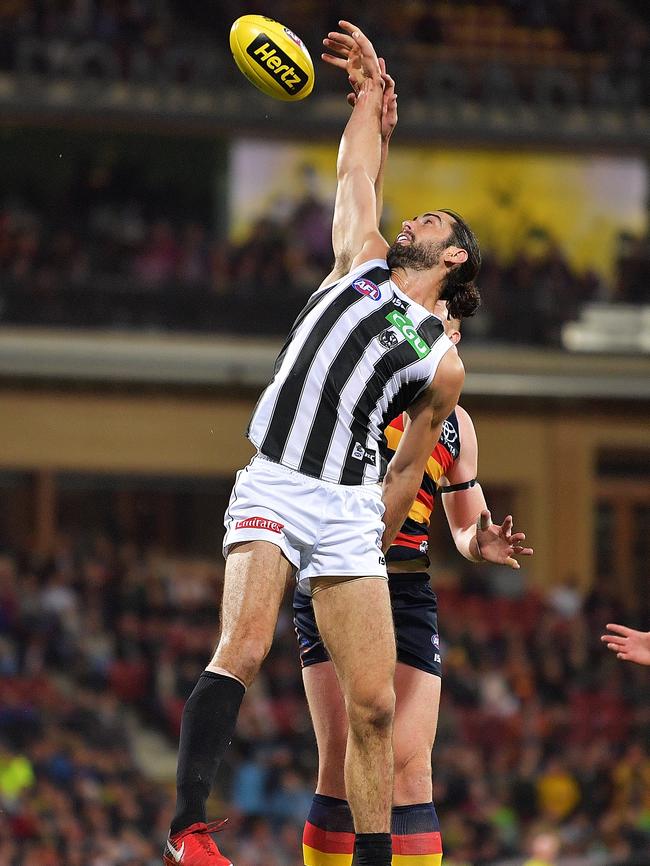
{"x":115,"y":267}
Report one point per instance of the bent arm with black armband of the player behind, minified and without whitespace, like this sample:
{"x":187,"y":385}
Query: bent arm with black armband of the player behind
{"x":470,"y":522}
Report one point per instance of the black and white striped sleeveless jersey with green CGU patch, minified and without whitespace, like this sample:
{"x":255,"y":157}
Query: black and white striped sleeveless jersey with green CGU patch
{"x":359,"y":353}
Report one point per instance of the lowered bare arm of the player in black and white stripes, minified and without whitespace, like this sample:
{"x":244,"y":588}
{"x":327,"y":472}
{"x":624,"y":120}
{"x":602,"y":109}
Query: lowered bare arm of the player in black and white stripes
{"x":422,"y":431}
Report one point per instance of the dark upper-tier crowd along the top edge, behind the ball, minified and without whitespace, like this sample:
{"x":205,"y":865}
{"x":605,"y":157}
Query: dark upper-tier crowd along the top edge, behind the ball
{"x":599,"y":49}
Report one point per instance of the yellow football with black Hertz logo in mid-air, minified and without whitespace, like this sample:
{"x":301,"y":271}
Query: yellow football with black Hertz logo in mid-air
{"x":272,"y":57}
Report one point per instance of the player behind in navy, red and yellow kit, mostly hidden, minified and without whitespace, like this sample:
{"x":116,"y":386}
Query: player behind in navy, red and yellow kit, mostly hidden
{"x":451,"y":472}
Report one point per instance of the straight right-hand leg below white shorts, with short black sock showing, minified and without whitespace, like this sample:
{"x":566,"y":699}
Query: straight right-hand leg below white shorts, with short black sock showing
{"x":355,"y":621}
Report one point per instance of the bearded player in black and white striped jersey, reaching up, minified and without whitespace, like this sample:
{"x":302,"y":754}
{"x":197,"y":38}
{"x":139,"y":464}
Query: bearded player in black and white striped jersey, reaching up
{"x":365,"y":348}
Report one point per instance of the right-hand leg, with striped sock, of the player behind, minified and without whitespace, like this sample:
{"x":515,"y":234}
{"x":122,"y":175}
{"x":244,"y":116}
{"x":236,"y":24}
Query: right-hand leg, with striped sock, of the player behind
{"x":415,"y":826}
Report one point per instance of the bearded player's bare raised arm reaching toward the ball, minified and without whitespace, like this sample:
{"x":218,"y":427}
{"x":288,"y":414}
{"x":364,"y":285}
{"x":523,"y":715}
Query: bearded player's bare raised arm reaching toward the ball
{"x":355,"y":228}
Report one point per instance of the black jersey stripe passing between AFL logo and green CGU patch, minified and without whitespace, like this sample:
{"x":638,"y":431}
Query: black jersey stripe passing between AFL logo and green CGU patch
{"x":341,"y":368}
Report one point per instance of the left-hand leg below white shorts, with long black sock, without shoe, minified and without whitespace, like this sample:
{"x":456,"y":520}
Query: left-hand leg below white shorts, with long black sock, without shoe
{"x":256,"y":574}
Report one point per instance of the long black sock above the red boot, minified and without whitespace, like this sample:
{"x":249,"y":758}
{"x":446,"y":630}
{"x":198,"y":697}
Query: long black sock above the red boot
{"x":207,"y":726}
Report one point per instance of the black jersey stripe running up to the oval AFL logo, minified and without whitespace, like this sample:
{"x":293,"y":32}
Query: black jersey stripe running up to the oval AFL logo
{"x":286,"y":405}
